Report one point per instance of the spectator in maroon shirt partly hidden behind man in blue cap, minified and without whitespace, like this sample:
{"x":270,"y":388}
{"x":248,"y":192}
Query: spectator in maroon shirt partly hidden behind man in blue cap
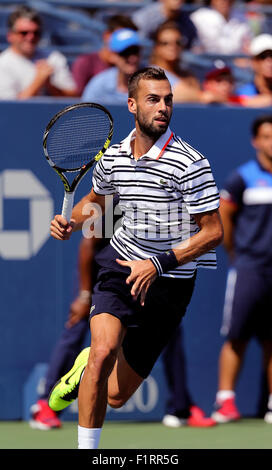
{"x":86,"y":66}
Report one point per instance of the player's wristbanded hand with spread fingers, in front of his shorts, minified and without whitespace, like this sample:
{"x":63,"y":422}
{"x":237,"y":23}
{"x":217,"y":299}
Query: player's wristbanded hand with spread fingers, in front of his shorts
{"x":143,"y":273}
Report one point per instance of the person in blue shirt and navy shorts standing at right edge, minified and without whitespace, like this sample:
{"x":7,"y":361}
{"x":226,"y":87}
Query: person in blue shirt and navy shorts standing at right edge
{"x":246,"y":211}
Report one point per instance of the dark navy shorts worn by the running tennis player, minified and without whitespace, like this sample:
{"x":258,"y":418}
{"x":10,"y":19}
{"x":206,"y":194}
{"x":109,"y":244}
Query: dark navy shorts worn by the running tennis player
{"x":150,"y":327}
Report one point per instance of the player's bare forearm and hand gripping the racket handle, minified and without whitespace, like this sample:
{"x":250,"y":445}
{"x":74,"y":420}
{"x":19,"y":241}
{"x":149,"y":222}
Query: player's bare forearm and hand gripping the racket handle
{"x":92,"y":203}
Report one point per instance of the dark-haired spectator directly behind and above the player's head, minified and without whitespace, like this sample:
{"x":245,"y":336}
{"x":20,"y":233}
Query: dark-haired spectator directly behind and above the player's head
{"x":166,"y":53}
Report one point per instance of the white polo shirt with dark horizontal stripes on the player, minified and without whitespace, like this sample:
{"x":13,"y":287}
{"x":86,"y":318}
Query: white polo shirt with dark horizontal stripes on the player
{"x":158,"y":195}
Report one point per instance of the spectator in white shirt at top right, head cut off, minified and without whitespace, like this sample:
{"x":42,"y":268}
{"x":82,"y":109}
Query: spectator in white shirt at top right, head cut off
{"x":221,"y":29}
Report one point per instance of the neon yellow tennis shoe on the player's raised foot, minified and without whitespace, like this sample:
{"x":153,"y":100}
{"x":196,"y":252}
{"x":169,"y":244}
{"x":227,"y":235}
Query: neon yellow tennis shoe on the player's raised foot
{"x":65,"y":391}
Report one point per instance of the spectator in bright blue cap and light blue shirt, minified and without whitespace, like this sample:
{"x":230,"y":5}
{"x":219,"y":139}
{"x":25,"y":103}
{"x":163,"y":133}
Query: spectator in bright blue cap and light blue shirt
{"x":111,"y":86}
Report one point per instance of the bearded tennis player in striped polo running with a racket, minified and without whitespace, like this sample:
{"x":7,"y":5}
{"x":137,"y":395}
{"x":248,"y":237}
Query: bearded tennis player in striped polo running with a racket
{"x":146,"y":277}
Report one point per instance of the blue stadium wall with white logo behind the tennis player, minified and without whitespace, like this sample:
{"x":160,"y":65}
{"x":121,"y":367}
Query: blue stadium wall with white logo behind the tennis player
{"x":38,"y":274}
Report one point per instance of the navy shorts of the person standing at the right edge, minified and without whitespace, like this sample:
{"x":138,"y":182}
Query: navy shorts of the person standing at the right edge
{"x":248,"y":304}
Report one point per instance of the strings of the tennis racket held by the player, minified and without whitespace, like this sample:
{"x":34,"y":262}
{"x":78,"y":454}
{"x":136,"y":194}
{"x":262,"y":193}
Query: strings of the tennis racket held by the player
{"x":75,"y":140}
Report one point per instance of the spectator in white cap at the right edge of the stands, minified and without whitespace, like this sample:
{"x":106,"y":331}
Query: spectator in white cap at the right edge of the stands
{"x":259,"y":91}
